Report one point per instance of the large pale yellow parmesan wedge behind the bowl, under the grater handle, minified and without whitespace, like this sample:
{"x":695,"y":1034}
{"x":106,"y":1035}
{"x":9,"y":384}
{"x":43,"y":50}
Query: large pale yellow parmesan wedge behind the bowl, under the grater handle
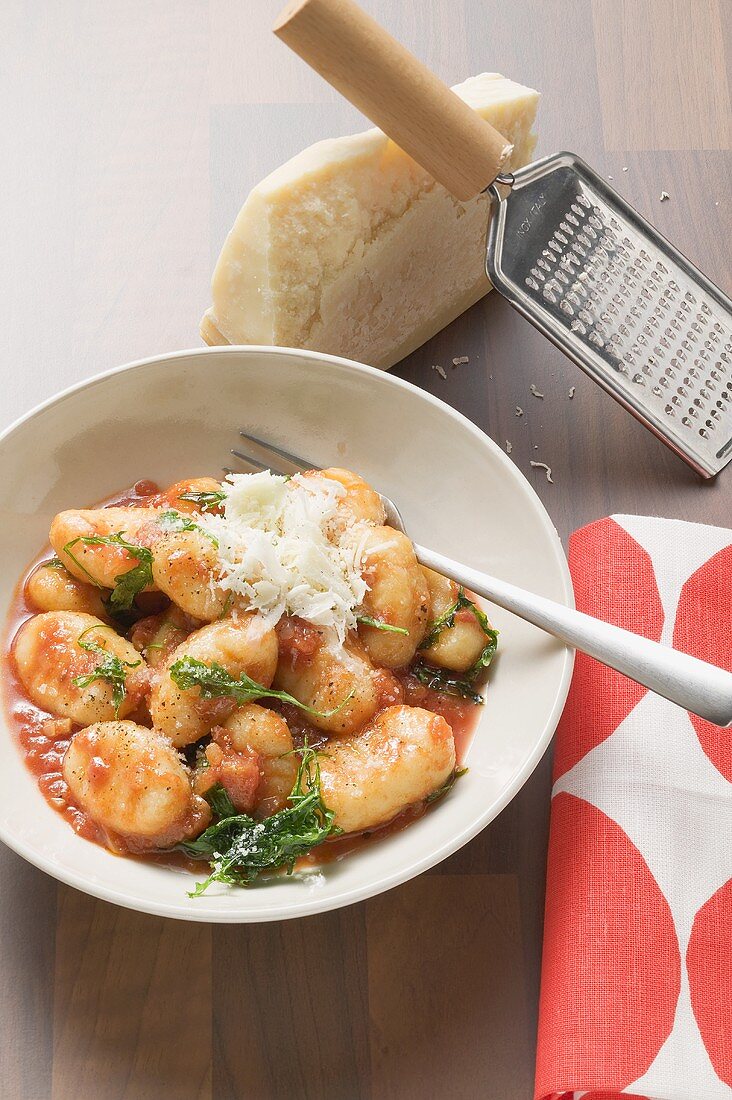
{"x":352,"y":249}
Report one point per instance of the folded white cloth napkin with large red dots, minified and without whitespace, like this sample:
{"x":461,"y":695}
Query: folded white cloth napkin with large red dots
{"x":637,"y":982}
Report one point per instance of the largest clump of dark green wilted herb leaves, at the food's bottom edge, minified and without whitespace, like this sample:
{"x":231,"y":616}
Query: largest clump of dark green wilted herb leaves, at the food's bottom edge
{"x":239,"y":849}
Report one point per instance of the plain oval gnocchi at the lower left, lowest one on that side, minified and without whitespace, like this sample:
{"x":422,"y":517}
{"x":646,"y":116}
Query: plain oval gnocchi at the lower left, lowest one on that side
{"x":134,"y":784}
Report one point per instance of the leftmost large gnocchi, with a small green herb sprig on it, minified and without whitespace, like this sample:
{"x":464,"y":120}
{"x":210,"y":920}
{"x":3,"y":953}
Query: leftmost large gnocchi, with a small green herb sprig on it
{"x":58,"y":655}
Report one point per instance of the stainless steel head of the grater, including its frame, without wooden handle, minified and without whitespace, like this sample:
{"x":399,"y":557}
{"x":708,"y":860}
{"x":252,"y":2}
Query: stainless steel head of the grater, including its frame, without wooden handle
{"x":621,"y":302}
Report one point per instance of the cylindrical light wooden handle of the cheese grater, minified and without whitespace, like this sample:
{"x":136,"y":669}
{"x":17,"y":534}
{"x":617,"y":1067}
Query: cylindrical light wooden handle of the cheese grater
{"x":397,"y":92}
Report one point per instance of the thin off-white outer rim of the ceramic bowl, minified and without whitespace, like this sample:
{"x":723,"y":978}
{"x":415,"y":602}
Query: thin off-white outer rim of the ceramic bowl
{"x":310,"y":907}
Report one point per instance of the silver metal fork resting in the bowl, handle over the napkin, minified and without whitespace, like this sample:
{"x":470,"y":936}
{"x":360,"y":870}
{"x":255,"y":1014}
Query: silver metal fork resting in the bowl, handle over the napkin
{"x":703,"y":689}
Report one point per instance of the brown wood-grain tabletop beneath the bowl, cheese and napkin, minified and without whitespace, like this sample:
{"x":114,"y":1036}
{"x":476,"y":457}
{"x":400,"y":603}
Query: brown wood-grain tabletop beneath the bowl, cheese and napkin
{"x":136,"y":131}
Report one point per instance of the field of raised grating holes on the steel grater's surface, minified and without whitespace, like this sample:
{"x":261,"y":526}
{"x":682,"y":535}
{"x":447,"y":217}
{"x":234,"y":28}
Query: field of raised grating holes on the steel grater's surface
{"x":636,"y":314}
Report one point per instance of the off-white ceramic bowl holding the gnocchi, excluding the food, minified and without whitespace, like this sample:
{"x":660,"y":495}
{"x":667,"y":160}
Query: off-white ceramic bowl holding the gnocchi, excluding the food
{"x":178,"y":416}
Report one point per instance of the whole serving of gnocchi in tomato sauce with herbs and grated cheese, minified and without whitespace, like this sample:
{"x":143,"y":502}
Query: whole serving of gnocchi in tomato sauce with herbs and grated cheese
{"x":224,"y":668}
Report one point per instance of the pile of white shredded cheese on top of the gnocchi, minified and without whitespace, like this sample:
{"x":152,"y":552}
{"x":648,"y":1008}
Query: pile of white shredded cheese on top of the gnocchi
{"x":280,"y":551}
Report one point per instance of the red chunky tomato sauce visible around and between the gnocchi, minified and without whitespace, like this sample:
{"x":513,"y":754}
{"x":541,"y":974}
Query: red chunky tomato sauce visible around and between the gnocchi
{"x":43,"y":739}
